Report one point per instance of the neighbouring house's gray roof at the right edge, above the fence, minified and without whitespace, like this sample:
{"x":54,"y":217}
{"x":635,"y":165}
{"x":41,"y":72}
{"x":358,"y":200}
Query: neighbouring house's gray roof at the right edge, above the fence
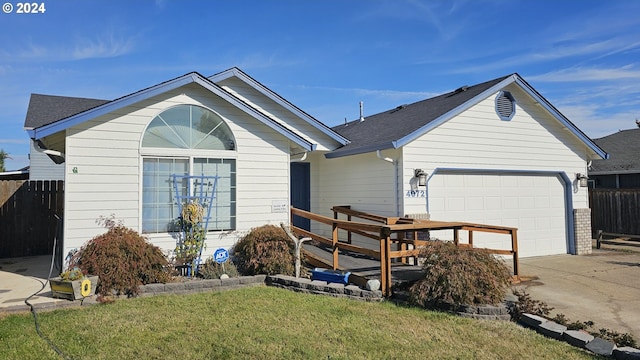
{"x":624,"y":153}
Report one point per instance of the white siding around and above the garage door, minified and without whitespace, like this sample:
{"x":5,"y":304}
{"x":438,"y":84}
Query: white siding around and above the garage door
{"x":478,"y":139}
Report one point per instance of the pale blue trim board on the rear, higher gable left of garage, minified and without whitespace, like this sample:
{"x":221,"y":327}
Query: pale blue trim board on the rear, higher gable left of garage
{"x":279,"y":100}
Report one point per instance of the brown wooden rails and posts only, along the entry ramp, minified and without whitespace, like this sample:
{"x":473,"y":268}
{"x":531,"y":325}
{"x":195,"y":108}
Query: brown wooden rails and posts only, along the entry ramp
{"x":402,"y":233}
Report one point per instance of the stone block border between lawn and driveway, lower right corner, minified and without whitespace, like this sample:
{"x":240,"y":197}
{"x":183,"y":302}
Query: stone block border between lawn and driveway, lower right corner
{"x":580,"y":339}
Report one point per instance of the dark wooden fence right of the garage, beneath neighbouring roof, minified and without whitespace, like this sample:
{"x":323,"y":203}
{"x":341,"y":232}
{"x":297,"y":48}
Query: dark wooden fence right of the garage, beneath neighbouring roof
{"x":615,"y":211}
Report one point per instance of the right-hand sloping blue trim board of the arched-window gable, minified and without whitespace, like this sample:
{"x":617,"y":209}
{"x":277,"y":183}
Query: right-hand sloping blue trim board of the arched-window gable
{"x":258,"y":115}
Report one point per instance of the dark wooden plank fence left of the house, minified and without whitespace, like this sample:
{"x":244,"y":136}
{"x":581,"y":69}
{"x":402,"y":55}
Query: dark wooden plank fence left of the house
{"x":28,"y":211}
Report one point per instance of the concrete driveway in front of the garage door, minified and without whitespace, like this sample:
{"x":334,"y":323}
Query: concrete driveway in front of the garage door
{"x":603,"y":287}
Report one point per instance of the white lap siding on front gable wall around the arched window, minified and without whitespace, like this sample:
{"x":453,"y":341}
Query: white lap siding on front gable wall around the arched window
{"x":106,"y":153}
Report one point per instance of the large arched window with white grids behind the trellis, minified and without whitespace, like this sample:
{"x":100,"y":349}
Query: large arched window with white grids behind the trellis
{"x":204,"y":145}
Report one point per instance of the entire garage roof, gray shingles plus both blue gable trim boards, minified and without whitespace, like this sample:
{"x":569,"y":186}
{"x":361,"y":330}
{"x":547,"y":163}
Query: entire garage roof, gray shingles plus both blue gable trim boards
{"x":395,"y":128}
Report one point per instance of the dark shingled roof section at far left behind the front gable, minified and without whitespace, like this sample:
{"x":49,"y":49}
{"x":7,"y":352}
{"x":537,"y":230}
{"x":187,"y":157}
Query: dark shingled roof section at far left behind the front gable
{"x":47,"y":109}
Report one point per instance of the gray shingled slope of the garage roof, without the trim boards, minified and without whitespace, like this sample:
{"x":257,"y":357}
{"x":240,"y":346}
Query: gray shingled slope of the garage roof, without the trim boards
{"x":380,"y":130}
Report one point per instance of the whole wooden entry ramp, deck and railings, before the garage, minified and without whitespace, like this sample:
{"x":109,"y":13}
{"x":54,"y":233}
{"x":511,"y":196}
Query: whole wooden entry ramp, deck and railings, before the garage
{"x":391,"y":243}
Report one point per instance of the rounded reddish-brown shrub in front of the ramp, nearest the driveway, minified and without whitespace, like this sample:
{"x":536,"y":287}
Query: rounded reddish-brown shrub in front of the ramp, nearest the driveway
{"x":460,"y":276}
